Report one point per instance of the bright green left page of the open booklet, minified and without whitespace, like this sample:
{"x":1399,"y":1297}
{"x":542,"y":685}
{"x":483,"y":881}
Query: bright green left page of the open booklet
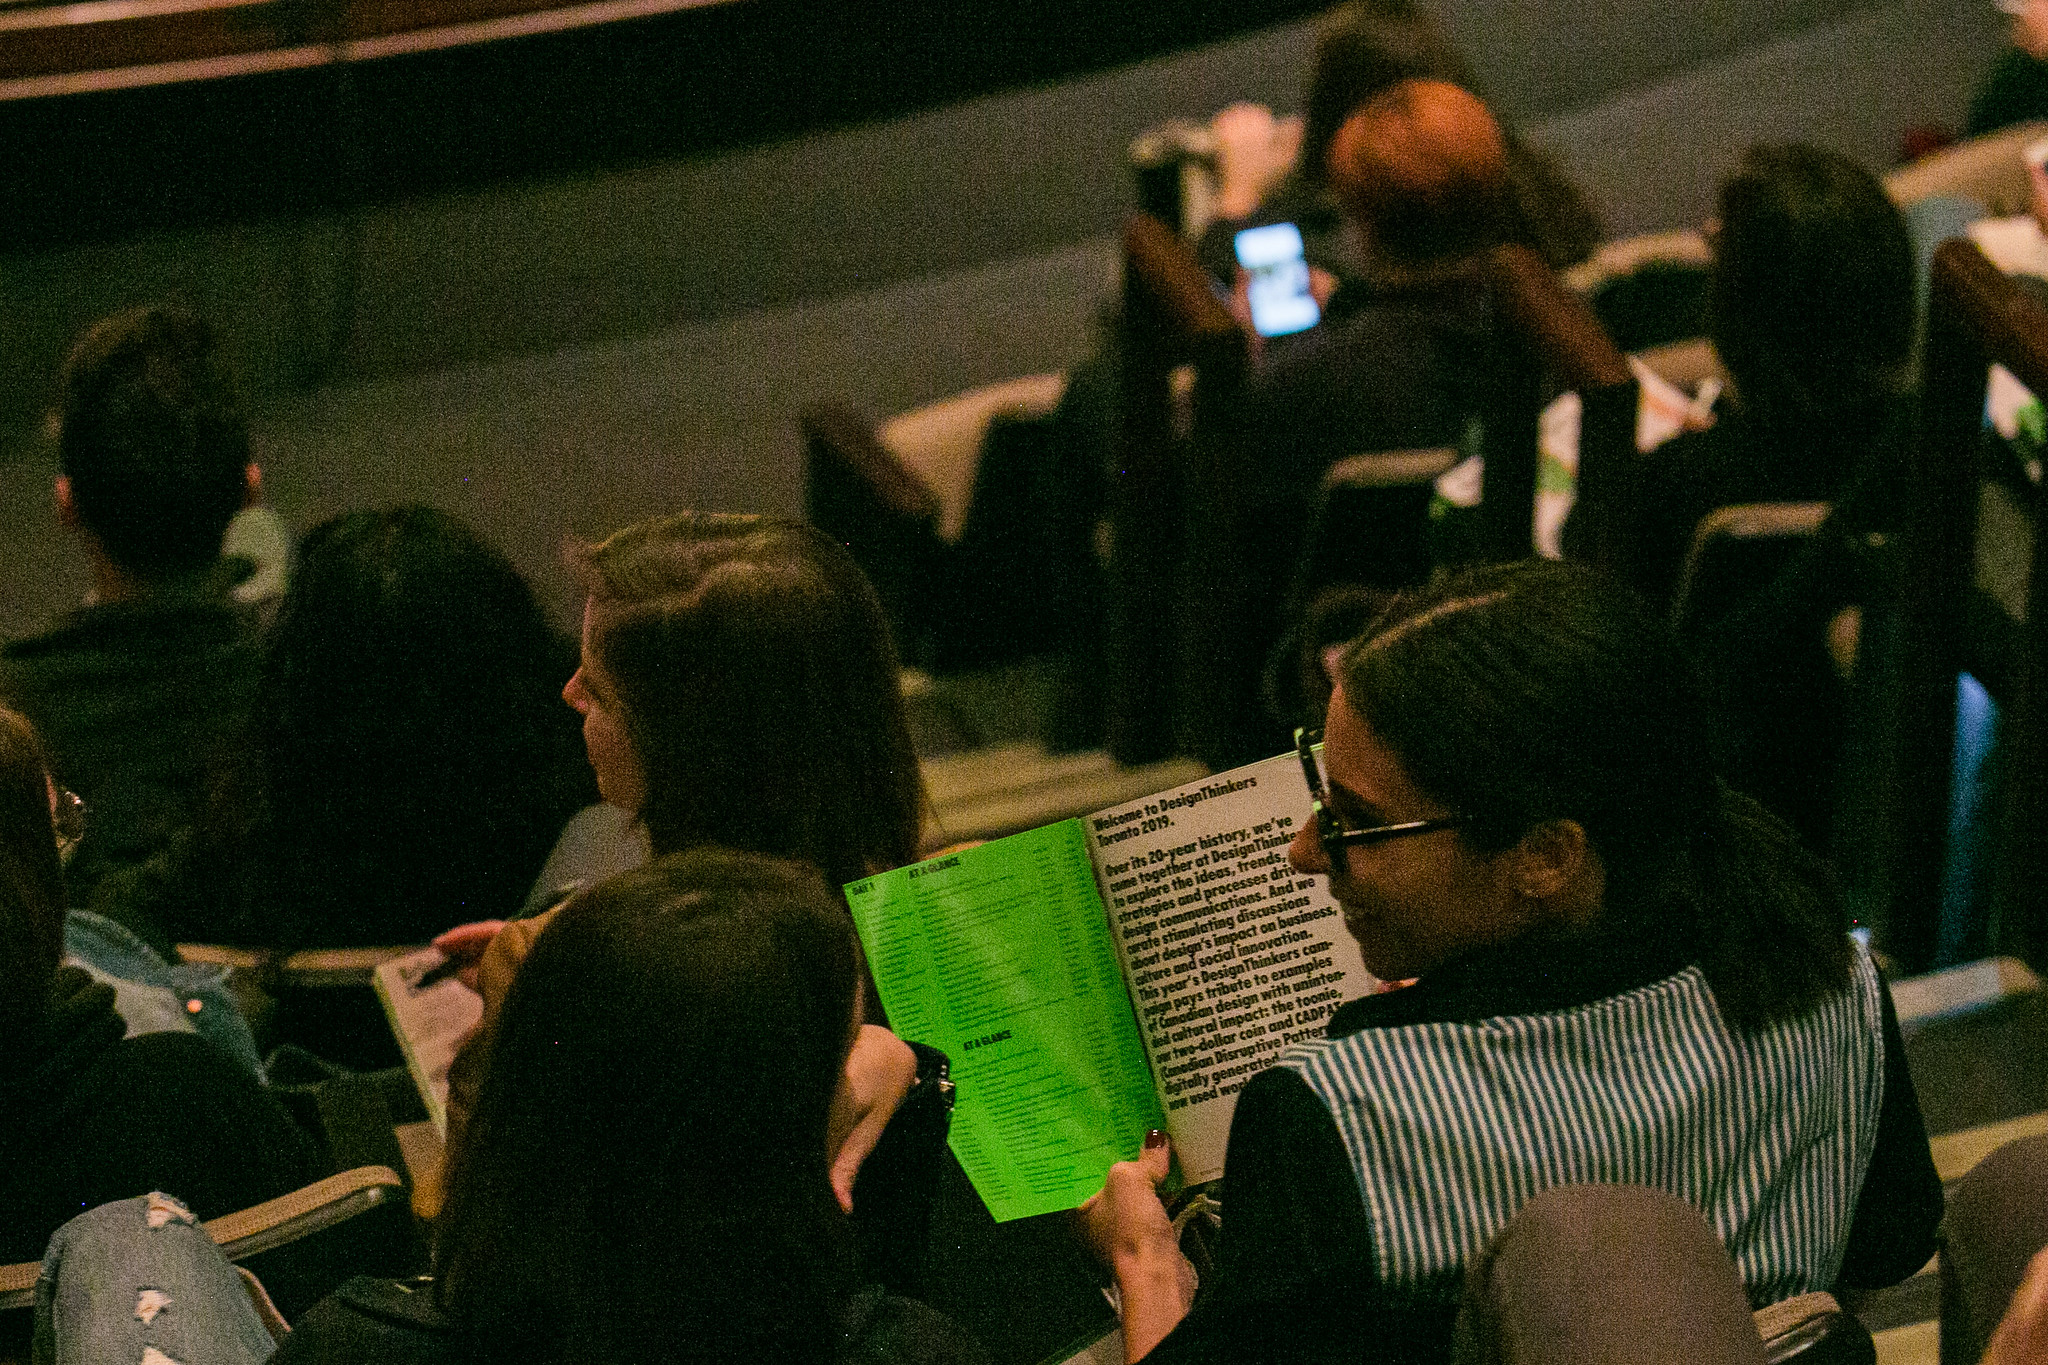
{"x":1002,"y":959}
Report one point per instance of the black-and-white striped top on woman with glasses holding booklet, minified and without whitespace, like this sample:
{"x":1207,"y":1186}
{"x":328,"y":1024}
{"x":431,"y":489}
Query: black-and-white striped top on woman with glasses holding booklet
{"x":1451,"y":1127}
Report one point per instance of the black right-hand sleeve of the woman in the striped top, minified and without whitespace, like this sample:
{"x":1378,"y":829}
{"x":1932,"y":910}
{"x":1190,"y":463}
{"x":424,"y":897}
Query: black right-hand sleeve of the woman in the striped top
{"x":1900,"y":1206}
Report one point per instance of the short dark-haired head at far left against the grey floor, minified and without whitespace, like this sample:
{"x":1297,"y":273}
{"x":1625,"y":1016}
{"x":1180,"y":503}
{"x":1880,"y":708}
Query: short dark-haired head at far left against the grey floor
{"x":153,"y":441}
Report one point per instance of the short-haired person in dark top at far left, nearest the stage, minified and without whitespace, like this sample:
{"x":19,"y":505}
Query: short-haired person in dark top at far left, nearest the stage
{"x":142,"y":693}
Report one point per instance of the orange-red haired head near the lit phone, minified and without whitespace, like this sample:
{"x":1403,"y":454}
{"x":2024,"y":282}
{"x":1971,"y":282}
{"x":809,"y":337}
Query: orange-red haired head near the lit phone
{"x":1422,"y":169}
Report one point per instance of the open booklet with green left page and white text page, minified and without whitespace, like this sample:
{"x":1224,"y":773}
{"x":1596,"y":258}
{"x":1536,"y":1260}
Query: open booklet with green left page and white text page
{"x":1107,"y":975}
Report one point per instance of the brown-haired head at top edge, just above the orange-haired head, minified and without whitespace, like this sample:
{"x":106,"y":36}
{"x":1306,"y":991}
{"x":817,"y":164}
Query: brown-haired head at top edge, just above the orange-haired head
{"x":1363,"y":50}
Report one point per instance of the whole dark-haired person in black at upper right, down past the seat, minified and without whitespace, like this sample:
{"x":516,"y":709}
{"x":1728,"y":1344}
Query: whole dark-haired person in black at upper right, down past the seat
{"x":1814,"y":314}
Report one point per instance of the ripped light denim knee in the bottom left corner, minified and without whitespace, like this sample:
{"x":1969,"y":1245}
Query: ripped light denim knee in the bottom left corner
{"x":138,"y":1282}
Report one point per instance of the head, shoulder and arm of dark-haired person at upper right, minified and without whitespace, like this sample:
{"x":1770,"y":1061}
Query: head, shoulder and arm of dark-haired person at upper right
{"x":1814,"y":312}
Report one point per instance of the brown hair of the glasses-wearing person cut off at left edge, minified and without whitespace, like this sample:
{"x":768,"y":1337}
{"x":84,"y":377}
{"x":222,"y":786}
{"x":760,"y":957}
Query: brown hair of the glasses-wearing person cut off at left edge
{"x":32,"y":879}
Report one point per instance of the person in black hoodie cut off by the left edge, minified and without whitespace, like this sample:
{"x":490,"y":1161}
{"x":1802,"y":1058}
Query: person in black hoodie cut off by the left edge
{"x":93,"y":1114}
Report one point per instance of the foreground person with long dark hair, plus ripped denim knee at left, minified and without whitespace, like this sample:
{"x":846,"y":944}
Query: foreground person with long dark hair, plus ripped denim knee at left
{"x":648,"y":1176}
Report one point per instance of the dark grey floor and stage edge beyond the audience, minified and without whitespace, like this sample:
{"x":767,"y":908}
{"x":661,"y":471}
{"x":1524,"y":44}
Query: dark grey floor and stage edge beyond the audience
{"x":556,"y":267}
